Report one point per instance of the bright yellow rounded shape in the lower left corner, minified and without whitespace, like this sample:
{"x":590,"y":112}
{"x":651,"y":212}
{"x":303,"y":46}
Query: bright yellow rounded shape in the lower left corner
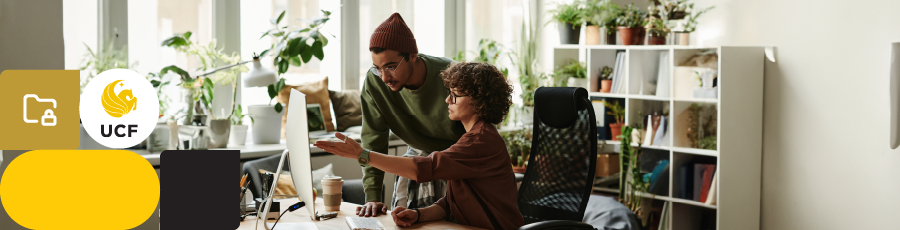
{"x":120,"y":188}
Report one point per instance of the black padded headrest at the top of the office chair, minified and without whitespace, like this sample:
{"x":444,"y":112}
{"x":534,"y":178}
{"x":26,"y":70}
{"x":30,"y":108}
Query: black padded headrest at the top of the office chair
{"x":558,"y":106}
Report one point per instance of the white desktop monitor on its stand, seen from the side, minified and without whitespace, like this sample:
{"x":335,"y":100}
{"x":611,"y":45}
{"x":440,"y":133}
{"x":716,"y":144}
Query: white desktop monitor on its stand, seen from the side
{"x":297,"y":137}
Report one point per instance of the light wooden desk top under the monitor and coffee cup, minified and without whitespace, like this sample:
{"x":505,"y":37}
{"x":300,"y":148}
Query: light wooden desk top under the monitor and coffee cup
{"x":339,"y":222}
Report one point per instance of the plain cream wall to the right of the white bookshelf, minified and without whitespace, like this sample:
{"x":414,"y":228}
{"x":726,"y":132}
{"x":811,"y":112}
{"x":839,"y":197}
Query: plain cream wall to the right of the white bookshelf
{"x":826,"y":157}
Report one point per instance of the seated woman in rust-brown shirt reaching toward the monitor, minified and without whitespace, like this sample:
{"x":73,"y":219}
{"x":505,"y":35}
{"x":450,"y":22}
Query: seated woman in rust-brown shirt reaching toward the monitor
{"x":481,"y":187}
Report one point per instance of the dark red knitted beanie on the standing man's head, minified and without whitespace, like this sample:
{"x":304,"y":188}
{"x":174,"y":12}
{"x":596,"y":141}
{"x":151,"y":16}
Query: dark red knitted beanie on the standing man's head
{"x":393,"y":34}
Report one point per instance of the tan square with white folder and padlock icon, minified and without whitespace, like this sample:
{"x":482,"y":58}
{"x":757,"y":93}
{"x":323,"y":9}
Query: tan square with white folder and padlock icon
{"x":40,"y":109}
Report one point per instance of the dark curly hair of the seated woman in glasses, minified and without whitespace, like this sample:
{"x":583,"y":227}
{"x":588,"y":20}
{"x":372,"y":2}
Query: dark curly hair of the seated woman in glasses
{"x":485,"y":84}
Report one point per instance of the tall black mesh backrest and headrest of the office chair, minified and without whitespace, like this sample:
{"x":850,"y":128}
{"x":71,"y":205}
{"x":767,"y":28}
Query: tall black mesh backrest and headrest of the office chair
{"x":560,"y":171}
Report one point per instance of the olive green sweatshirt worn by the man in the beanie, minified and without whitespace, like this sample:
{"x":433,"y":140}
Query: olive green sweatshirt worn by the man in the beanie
{"x":419,"y":117}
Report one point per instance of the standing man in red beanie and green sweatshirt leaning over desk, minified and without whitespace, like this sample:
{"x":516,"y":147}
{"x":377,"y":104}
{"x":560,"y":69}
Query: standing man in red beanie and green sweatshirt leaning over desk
{"x":403,"y":93}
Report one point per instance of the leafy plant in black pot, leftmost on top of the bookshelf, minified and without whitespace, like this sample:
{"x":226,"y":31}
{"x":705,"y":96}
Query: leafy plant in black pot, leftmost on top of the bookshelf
{"x":569,"y":17}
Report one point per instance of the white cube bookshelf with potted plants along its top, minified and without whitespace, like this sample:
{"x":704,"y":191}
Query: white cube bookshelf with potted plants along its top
{"x":738,"y":156}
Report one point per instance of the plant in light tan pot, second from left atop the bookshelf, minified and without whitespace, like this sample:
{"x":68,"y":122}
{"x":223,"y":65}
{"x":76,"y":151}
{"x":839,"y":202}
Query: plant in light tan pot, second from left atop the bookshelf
{"x":602,"y":14}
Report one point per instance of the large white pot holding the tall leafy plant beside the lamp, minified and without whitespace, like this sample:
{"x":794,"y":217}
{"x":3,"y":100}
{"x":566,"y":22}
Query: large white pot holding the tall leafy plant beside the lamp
{"x":266,"y":127}
